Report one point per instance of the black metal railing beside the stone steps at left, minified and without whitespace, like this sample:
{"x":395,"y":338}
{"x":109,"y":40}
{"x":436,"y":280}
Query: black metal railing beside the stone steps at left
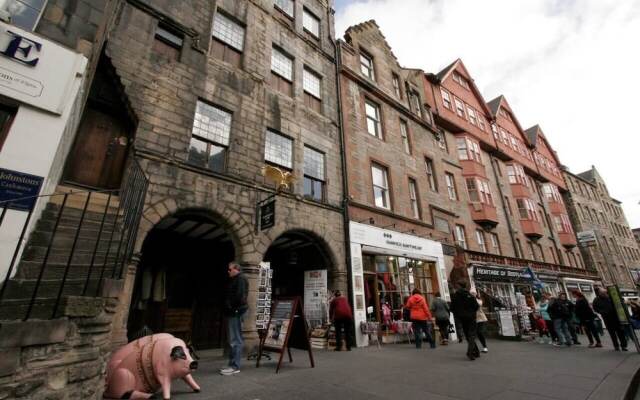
{"x":110,"y":220}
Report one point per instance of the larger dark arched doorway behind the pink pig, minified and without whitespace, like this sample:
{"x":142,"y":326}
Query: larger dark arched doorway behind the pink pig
{"x":181,"y":279}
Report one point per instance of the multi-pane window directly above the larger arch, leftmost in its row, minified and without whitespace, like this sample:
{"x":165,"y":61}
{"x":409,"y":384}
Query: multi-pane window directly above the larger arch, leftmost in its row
{"x":209,"y":137}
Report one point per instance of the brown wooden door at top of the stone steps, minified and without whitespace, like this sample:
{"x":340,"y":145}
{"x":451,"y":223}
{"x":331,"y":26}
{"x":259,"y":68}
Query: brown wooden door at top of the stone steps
{"x":99,"y":153}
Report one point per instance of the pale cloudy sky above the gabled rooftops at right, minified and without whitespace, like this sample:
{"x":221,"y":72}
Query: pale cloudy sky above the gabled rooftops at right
{"x":572,"y":66}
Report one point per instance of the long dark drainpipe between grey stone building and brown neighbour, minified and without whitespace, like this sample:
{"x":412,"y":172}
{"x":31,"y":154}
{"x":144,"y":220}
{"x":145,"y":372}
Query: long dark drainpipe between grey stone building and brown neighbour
{"x":343,"y":160}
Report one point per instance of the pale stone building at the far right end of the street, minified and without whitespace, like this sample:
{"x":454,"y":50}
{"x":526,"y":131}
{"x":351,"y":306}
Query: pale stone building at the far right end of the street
{"x":606,"y":241}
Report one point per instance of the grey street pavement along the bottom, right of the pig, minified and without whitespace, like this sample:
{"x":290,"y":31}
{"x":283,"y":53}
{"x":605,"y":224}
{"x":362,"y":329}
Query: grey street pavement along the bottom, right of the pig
{"x":511,"y":370}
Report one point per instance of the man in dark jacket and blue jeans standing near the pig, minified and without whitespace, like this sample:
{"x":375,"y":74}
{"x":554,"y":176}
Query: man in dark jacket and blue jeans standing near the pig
{"x":235,"y":305}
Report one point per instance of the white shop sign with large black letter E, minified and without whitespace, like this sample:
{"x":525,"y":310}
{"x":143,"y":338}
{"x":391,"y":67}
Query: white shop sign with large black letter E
{"x":36,"y":71}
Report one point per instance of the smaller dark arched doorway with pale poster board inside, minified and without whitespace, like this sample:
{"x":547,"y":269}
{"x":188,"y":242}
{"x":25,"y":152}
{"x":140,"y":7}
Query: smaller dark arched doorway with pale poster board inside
{"x":302,"y":266}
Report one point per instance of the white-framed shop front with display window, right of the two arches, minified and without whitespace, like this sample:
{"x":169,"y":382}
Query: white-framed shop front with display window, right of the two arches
{"x":386,"y":267}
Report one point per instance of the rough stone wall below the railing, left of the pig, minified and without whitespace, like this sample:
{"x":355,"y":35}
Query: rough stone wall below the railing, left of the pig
{"x":62,"y":358}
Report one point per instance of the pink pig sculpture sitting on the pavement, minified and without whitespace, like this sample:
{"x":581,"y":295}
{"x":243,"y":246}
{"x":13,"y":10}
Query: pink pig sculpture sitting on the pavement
{"x":140,"y":368}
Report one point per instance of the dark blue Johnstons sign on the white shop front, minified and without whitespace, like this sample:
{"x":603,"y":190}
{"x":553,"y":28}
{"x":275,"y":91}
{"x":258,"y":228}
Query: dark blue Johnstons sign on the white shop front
{"x":21,"y":187}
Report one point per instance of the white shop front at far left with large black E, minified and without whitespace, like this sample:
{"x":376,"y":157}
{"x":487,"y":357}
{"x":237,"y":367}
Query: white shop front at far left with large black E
{"x":40,"y":104}
